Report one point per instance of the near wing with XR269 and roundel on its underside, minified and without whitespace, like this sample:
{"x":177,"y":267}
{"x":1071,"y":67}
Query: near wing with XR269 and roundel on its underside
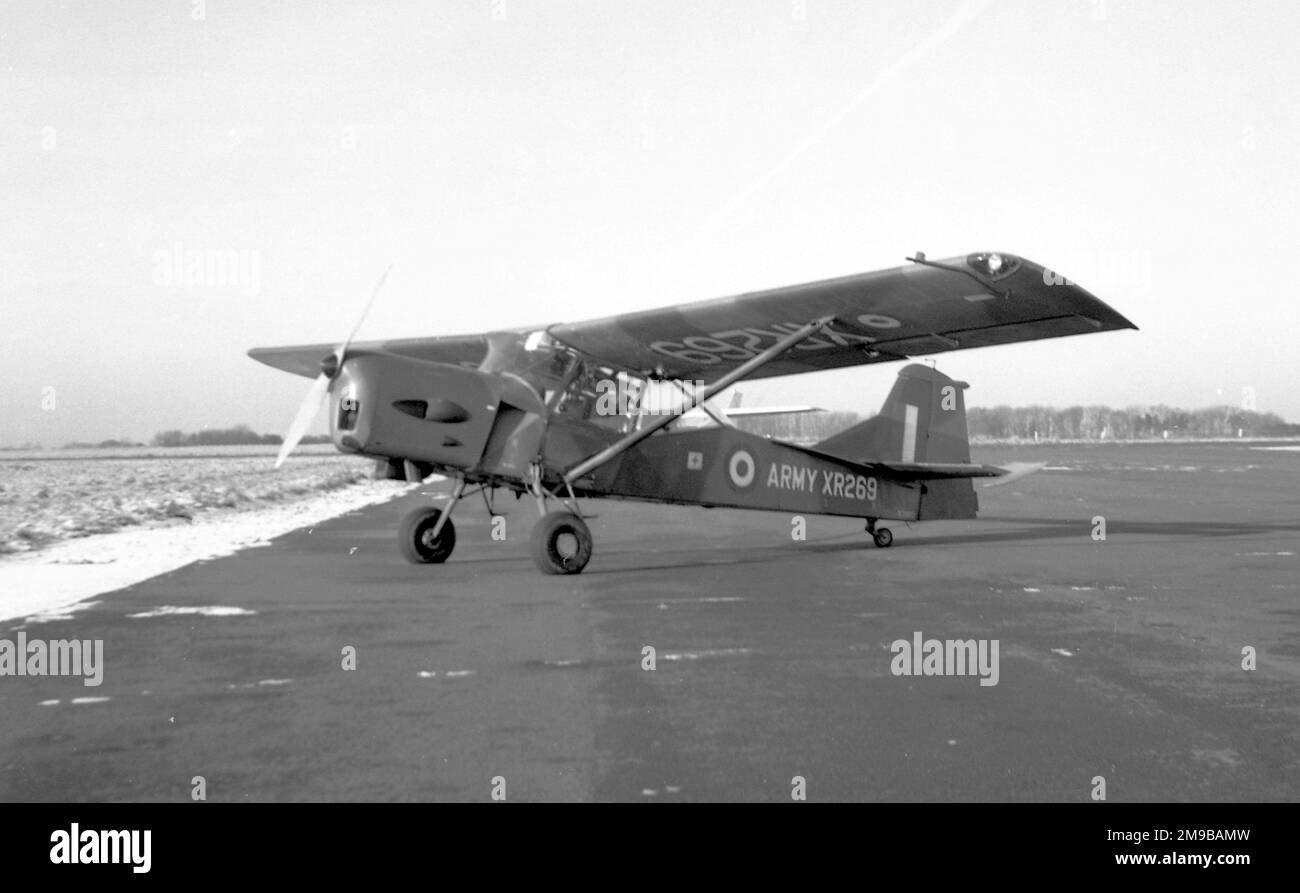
{"x":928,"y":307}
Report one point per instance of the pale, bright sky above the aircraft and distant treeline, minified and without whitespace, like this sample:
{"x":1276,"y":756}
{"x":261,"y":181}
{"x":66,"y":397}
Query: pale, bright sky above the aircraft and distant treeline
{"x":531,"y":163}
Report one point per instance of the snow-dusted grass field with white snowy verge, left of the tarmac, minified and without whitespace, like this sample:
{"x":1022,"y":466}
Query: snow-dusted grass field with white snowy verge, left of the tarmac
{"x":75,"y":524}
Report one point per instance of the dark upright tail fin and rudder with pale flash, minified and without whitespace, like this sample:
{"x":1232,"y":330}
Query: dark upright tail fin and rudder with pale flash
{"x":924,"y":421}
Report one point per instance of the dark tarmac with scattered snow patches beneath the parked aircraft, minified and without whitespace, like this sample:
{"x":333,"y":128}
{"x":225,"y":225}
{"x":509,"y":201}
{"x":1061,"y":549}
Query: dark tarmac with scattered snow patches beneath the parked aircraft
{"x":710,"y":656}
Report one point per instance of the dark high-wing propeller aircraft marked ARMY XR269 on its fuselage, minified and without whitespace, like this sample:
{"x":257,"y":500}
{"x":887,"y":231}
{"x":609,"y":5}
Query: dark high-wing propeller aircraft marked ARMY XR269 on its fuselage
{"x":554,"y":413}
